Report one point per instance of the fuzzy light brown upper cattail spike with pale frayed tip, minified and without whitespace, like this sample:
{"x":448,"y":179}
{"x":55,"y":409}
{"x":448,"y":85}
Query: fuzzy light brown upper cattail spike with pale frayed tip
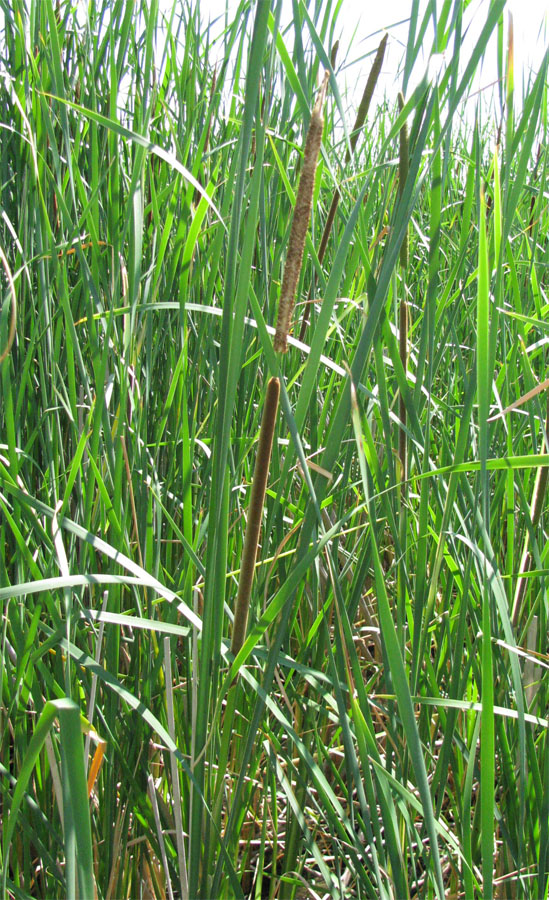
{"x":300,"y":222}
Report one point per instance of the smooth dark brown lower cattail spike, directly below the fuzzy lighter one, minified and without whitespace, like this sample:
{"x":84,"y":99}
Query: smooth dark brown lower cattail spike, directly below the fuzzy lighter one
{"x":255,"y":513}
